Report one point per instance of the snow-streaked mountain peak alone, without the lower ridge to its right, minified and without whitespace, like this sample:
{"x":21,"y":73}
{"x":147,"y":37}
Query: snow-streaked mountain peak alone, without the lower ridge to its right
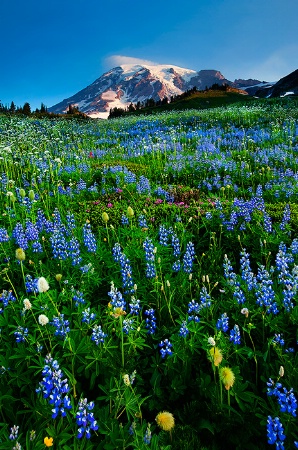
{"x":132,"y":83}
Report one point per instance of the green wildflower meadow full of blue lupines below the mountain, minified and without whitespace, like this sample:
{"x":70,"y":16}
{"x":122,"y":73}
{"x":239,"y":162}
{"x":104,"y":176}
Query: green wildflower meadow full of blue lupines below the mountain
{"x":149,"y":278}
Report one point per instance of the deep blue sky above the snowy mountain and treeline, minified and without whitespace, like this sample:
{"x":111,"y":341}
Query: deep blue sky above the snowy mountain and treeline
{"x":51,"y":49}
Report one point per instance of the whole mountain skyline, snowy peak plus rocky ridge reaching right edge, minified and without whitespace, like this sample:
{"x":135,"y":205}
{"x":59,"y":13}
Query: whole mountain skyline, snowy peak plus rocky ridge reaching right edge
{"x":136,"y":83}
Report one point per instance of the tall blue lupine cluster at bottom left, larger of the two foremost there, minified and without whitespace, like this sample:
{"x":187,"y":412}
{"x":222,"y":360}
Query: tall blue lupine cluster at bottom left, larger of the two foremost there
{"x":54,"y":386}
